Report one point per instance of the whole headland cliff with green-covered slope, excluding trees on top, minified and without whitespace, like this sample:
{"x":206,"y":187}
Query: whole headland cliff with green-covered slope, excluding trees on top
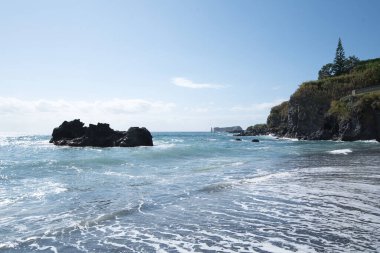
{"x":326,"y":109}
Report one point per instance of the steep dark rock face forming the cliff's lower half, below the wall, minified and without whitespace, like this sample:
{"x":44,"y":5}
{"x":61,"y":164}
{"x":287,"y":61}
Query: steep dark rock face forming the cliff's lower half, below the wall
{"x":349,"y":119}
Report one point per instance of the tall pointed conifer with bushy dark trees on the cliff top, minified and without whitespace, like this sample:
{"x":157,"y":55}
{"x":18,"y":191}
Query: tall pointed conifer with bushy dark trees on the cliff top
{"x":341,"y":65}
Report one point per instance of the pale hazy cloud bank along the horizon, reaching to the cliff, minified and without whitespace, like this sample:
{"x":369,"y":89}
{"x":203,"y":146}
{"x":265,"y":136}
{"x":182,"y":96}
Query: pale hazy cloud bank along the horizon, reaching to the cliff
{"x":41,"y":116}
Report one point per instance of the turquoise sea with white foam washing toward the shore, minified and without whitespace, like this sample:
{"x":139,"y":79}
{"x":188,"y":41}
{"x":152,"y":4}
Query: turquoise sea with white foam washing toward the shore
{"x":191,"y":192}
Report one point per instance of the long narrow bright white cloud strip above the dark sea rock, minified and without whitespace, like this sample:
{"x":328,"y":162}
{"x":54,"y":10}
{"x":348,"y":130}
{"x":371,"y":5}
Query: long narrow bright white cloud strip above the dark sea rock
{"x":114,"y":106}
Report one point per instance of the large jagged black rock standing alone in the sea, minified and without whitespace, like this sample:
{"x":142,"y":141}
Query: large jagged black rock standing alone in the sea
{"x":75,"y":134}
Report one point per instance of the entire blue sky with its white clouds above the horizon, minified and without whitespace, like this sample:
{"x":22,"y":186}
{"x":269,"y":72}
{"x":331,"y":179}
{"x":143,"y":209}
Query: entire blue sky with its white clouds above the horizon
{"x":168,"y":65}
